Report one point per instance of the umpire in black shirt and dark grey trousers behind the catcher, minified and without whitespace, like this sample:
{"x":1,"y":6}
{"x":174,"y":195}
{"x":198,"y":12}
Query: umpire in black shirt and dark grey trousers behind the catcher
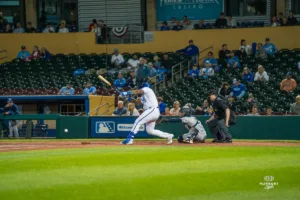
{"x":220,"y":121}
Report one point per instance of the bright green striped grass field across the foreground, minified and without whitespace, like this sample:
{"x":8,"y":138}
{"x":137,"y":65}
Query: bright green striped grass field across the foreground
{"x":137,"y":172}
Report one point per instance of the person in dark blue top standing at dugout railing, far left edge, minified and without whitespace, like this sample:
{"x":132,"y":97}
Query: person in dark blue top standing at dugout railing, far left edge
{"x":11,"y":109}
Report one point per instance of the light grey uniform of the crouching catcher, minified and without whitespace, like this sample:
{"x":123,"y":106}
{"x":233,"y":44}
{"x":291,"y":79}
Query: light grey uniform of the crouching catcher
{"x":195,"y":127}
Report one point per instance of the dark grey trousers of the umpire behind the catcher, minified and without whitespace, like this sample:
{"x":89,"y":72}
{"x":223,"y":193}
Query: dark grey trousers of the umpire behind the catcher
{"x":218,"y":129}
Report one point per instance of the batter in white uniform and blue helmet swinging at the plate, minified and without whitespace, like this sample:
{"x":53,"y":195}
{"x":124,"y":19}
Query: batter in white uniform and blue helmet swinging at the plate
{"x":149,"y":116}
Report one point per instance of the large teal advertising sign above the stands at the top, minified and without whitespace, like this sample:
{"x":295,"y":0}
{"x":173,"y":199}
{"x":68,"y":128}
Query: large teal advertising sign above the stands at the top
{"x":193,"y":9}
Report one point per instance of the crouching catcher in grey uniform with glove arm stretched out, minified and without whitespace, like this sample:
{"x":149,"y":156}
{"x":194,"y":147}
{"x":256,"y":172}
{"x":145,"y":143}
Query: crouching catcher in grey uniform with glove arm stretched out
{"x":196,"y":131}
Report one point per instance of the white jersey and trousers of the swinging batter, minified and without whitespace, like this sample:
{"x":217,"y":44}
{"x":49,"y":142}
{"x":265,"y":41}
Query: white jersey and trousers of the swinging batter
{"x":150,"y":115}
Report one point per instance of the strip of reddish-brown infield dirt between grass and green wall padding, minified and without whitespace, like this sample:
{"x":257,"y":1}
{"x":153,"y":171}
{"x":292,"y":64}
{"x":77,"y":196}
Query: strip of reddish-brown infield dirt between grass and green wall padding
{"x":42,"y":145}
